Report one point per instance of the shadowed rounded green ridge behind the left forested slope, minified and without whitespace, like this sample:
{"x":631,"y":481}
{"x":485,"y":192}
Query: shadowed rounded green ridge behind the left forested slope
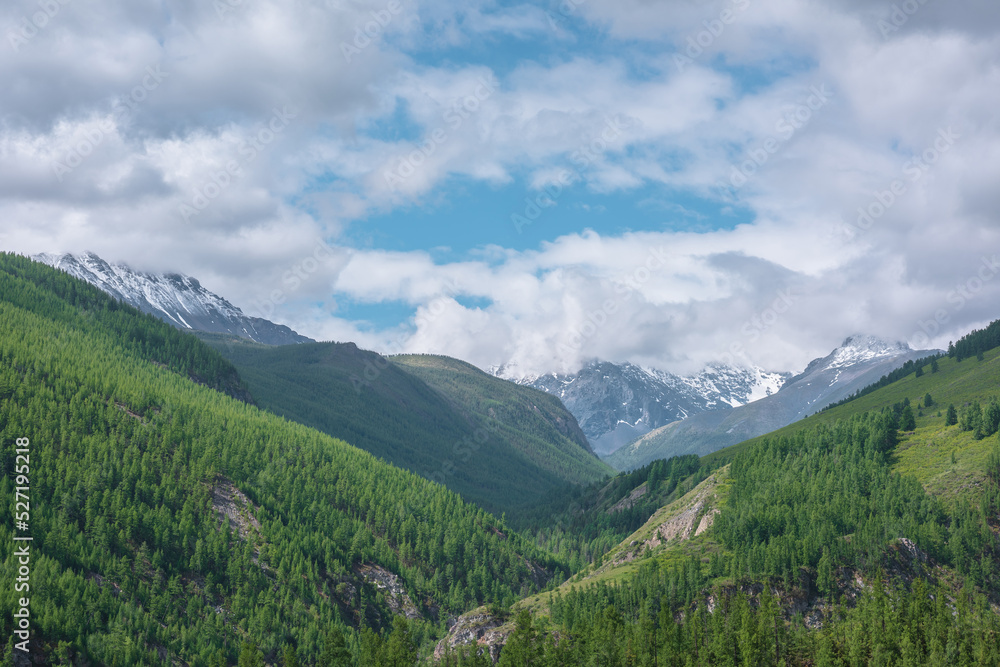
{"x":497,"y":444}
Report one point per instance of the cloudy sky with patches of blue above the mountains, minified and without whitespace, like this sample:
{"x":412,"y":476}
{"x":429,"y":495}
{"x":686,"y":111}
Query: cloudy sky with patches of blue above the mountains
{"x":670,"y":183}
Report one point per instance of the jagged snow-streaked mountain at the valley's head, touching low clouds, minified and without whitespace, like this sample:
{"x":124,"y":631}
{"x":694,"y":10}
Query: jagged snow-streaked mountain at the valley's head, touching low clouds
{"x":616,"y":403}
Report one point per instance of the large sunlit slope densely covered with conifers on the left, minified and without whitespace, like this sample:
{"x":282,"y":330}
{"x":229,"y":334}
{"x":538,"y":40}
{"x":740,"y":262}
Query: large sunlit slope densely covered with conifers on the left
{"x":173,"y":524}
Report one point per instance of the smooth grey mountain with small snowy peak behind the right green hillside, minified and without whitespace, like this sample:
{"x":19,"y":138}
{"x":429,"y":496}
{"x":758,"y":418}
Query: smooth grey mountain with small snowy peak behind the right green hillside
{"x":860,"y":361}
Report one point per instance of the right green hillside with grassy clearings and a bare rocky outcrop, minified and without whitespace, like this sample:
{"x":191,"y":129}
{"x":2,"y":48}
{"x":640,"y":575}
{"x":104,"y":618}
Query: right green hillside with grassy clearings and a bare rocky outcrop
{"x":850,"y":538}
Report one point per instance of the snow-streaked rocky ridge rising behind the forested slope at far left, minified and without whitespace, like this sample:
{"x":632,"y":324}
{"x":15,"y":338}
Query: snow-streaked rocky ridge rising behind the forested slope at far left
{"x":174,"y":298}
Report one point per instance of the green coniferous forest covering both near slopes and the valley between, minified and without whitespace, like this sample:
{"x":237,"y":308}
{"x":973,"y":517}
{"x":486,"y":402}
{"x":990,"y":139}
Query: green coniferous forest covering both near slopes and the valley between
{"x":175,"y":522}
